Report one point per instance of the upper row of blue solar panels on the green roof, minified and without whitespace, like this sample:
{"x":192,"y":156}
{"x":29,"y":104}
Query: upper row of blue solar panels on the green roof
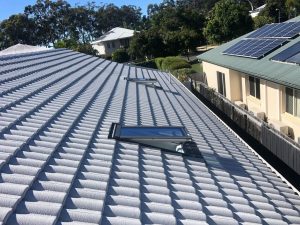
{"x":277,"y":30}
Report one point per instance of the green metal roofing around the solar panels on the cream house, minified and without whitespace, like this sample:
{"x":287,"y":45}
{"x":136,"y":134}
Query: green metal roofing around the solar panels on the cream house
{"x":281,"y":73}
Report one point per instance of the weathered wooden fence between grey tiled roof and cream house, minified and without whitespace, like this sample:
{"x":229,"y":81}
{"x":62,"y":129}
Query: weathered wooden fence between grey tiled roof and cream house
{"x":285,"y":148}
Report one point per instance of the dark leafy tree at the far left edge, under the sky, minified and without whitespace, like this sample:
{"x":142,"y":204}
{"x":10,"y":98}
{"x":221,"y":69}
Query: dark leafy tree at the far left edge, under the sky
{"x":17,"y":29}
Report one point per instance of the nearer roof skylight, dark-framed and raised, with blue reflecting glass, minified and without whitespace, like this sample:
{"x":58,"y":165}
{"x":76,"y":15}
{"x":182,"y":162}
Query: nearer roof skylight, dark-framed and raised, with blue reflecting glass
{"x":170,"y":138}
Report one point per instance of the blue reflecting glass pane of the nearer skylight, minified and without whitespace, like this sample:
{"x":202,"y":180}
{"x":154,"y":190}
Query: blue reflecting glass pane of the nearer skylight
{"x":152,"y":132}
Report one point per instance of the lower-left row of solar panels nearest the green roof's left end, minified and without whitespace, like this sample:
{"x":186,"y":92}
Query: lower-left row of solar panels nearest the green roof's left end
{"x":254,"y":48}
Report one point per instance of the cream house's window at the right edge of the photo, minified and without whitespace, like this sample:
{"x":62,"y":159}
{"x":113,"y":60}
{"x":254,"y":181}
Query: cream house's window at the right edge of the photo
{"x":292,"y":101}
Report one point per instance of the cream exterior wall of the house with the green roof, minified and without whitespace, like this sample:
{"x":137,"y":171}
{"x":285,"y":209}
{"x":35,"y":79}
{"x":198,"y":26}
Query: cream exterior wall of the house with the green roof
{"x":272,"y":96}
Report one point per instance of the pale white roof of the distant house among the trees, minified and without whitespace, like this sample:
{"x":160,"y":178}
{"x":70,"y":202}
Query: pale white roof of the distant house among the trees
{"x":115,"y":34}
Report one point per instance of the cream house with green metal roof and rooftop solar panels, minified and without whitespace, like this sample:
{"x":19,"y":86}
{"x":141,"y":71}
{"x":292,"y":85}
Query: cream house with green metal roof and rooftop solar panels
{"x":260,"y":71}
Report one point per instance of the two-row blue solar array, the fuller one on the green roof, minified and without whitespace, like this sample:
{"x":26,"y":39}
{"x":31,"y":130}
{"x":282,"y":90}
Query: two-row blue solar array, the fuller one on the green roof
{"x":265,"y":40}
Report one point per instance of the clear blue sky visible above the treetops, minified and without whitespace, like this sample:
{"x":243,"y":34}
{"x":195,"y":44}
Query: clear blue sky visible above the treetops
{"x":10,"y":7}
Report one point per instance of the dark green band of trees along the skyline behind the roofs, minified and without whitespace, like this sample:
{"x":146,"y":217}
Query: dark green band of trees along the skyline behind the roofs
{"x":170,"y":28}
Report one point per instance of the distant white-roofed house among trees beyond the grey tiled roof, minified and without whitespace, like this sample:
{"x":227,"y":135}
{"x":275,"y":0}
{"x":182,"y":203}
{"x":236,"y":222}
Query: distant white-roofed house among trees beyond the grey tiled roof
{"x":113,"y":40}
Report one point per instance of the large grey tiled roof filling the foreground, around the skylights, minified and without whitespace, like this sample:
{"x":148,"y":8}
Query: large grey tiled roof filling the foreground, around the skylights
{"x":57,"y":165}
